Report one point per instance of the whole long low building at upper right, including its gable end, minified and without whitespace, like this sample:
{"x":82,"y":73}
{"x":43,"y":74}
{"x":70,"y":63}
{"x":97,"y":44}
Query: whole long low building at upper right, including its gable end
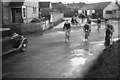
{"x":103,"y":9}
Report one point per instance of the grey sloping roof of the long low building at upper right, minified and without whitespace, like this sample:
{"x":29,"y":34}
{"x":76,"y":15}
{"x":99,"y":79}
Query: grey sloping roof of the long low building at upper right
{"x":92,"y":6}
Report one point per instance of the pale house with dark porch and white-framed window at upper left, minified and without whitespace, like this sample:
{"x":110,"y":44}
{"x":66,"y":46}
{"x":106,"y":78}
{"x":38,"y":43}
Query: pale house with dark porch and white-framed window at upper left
{"x":20,"y":12}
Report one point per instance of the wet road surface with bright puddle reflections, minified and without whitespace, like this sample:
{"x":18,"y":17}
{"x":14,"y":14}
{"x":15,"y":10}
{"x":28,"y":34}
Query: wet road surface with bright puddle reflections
{"x":49,"y":56}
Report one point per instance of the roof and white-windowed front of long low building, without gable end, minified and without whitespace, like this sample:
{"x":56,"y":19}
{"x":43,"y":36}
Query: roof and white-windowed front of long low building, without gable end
{"x":94,"y":8}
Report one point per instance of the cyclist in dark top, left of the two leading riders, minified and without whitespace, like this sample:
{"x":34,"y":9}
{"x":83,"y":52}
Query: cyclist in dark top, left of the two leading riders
{"x":67,"y":28}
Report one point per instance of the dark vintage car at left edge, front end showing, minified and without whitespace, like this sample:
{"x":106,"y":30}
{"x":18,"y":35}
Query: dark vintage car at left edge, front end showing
{"x":12,"y":41}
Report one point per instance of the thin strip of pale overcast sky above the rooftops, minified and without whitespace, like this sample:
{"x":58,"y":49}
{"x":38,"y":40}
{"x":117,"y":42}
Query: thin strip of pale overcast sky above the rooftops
{"x":75,"y":1}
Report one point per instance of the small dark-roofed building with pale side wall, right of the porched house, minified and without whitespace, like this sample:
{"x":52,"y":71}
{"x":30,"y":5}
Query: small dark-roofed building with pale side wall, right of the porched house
{"x":52,"y":14}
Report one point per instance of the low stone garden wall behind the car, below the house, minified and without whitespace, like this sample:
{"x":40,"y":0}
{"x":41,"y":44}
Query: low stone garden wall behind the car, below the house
{"x":23,"y":28}
